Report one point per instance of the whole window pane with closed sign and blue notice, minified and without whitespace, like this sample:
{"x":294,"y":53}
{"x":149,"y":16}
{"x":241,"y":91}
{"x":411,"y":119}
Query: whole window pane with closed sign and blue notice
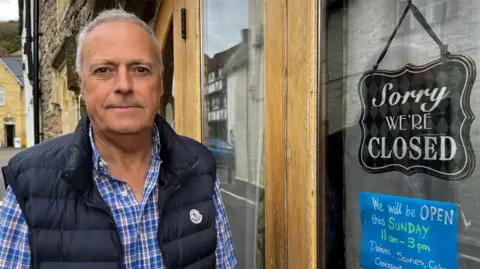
{"x":402,"y":135}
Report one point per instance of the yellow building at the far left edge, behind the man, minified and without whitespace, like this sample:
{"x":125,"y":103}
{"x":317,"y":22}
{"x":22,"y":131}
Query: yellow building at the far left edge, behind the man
{"x":12,"y":101}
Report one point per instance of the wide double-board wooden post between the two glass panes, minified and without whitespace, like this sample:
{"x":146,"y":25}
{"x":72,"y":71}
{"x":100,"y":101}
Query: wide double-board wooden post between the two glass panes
{"x":291,"y":86}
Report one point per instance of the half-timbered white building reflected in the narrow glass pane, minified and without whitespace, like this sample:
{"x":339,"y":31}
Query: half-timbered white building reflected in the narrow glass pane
{"x":226,"y":96}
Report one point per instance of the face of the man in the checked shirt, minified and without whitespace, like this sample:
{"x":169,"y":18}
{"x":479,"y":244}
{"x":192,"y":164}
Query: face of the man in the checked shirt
{"x":120,"y":78}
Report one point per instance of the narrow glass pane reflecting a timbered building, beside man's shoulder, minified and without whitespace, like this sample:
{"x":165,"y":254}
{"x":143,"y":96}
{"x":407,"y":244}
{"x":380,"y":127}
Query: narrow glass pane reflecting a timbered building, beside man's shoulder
{"x":232,"y":116}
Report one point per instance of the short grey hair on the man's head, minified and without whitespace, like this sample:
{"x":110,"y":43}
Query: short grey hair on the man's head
{"x":109,"y":16}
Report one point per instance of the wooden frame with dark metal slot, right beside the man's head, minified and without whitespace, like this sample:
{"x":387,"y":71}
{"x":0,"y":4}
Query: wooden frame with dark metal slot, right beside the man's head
{"x":186,"y":74}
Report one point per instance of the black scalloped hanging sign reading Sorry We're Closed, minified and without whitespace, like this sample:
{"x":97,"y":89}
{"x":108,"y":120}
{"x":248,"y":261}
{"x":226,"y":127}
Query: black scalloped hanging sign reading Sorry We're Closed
{"x":417,"y":119}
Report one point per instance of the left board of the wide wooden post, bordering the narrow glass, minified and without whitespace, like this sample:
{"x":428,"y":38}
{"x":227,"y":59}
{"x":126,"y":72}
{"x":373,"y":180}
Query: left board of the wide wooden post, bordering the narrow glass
{"x":276,"y":216}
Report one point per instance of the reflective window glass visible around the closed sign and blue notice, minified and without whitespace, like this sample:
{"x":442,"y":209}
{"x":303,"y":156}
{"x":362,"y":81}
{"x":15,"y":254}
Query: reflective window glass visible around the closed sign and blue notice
{"x":356,"y":33}
